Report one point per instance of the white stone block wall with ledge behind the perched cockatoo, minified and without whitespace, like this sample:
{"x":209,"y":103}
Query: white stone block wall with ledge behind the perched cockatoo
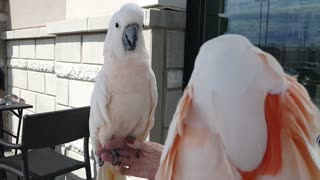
{"x":54,"y":67}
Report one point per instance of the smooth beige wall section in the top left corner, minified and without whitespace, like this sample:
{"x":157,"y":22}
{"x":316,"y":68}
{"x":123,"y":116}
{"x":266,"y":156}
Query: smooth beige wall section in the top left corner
{"x":35,"y":13}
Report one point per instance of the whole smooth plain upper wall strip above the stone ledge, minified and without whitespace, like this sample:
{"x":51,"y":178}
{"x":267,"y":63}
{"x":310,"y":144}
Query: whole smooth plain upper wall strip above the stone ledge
{"x":36,"y":13}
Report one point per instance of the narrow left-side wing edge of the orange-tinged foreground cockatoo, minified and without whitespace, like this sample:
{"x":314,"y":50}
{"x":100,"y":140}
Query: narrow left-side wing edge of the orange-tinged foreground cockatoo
{"x":169,"y":152}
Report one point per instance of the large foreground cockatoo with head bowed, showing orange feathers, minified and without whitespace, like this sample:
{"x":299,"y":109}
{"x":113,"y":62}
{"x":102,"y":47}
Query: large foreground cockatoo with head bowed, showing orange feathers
{"x":241,"y":118}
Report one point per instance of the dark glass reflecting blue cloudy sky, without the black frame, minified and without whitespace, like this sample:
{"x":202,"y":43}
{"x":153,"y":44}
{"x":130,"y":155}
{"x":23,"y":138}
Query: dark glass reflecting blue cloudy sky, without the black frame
{"x":288,"y":29}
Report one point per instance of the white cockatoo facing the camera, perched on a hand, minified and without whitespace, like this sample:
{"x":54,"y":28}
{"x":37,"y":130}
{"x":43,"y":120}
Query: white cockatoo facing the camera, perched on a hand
{"x":124,"y":98}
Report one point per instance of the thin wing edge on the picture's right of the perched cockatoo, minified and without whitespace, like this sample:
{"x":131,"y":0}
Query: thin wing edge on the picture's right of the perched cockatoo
{"x":154,"y":101}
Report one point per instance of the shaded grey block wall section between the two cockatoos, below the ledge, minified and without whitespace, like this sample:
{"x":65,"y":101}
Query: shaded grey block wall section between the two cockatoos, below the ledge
{"x":168,"y":58}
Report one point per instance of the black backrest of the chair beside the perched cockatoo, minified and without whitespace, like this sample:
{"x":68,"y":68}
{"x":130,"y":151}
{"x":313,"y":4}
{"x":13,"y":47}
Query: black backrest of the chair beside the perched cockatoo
{"x":54,"y":128}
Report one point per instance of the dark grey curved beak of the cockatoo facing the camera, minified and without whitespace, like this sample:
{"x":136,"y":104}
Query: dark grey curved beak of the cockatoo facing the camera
{"x":130,"y":37}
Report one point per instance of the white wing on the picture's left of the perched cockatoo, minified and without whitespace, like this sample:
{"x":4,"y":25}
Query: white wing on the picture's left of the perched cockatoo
{"x":98,"y":114}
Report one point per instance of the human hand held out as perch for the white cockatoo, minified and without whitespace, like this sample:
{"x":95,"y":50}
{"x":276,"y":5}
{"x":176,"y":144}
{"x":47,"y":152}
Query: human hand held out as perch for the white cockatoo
{"x":136,"y":158}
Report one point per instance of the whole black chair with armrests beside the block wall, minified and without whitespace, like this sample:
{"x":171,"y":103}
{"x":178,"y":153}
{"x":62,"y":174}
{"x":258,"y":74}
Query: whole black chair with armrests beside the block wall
{"x":41,"y":133}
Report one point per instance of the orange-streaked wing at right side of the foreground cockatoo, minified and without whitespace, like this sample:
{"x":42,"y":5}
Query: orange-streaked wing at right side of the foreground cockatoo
{"x":301,"y":128}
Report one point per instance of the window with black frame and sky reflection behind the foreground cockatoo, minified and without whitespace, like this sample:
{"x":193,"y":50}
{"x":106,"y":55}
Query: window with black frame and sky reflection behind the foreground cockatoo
{"x":288,"y":29}
